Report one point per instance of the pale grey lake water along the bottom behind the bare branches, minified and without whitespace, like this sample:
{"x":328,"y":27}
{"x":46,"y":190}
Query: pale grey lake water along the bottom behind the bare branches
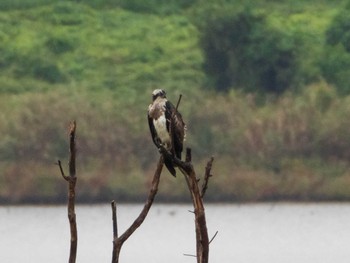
{"x":247,"y":233}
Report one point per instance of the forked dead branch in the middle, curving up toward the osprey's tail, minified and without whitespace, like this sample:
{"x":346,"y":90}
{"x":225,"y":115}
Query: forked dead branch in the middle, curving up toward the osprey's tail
{"x":119,"y":241}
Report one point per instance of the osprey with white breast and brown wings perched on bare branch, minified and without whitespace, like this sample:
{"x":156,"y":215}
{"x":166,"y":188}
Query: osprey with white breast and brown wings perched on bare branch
{"x":166,"y":126}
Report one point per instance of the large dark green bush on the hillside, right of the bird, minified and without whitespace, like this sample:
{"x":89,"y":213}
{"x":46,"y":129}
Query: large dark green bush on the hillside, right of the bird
{"x":243,"y":51}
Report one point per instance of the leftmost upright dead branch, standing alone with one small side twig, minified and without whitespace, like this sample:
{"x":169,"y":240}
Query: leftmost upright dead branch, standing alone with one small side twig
{"x":72,"y":180}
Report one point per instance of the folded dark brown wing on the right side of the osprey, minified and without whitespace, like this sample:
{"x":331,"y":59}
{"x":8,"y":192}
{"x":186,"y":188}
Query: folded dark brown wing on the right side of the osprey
{"x":176,"y":127}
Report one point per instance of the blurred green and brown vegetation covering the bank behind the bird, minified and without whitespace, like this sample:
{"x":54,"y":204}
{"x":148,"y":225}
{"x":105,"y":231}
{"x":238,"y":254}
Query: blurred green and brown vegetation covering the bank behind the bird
{"x":274,"y":138}
